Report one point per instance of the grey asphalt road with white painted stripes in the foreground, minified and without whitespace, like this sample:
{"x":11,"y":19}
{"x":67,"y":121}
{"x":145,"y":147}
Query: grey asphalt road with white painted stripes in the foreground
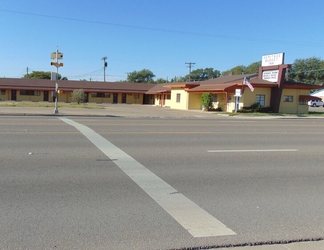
{"x":260,"y":179}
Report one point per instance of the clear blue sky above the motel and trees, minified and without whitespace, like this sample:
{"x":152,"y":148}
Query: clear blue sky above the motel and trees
{"x":157,"y":35}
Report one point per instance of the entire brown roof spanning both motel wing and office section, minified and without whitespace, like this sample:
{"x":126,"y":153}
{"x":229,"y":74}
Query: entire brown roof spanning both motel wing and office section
{"x":220,"y":84}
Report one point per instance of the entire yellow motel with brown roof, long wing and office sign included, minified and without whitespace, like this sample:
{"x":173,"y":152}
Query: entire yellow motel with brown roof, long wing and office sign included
{"x":268,"y":87}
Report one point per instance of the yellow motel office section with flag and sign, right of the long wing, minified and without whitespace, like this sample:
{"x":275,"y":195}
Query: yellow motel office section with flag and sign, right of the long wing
{"x":269,"y":88}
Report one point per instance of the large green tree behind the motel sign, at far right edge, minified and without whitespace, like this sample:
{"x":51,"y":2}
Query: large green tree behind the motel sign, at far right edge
{"x":309,"y":70}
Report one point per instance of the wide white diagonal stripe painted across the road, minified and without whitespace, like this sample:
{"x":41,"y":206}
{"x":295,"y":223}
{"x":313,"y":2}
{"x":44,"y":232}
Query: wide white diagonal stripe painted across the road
{"x":189,"y":215}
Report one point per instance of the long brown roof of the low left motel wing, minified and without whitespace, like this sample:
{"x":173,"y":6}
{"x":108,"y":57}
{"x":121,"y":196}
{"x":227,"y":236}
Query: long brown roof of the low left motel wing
{"x":87,"y":86}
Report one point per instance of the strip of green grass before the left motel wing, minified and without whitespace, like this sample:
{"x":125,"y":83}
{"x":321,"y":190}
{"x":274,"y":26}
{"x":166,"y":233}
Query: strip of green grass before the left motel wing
{"x":49,"y":105}
